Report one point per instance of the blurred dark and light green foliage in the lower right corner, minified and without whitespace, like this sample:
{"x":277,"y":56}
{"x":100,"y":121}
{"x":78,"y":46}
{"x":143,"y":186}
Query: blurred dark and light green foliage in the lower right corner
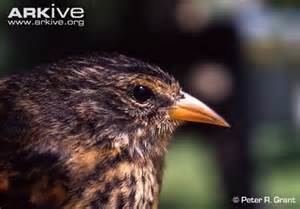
{"x":276,"y":150}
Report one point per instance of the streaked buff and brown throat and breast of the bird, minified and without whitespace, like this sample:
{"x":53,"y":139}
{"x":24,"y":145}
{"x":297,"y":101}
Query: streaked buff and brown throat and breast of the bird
{"x":127,"y":172}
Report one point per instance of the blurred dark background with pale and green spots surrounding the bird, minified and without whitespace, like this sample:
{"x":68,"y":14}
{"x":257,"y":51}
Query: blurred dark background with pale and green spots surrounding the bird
{"x":240,"y":57}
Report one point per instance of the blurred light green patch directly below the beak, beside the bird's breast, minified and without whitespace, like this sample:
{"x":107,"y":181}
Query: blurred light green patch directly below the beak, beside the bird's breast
{"x":191,"y":179}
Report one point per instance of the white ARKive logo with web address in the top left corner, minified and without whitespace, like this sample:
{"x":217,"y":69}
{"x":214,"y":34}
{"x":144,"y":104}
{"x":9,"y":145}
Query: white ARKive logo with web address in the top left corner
{"x":51,"y":15}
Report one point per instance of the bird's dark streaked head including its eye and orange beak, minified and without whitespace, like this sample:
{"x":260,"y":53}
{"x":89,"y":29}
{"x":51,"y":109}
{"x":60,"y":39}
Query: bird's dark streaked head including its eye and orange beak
{"x":123,"y":102}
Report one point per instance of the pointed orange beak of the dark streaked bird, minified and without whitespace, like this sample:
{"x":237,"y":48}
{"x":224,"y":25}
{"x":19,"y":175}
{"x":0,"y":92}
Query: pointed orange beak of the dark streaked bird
{"x":191,"y":109}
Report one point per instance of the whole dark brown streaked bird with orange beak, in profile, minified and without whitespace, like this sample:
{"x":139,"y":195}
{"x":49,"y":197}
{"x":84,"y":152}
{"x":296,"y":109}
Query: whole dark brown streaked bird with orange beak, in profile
{"x":90,"y":132}
